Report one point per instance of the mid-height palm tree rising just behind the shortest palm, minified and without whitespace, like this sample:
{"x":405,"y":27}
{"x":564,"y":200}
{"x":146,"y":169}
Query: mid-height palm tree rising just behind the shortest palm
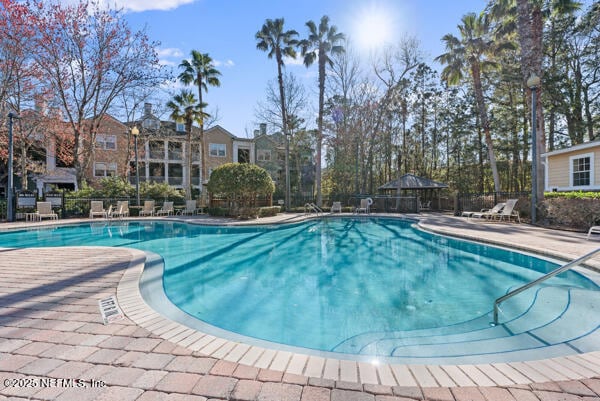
{"x":200,"y":71}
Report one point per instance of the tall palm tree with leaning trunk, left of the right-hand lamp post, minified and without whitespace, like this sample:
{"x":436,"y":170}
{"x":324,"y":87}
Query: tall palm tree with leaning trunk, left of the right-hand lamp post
{"x":472,"y":53}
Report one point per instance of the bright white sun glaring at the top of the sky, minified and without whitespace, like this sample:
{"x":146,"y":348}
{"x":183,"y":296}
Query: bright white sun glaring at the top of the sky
{"x":373,"y":27}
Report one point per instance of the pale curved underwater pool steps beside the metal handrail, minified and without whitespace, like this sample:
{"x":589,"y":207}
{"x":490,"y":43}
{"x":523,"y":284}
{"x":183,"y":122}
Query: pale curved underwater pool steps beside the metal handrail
{"x":548,"y":316}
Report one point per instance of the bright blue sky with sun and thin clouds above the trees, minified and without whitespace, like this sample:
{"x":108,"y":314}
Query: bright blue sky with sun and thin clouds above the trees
{"x":225,"y":29}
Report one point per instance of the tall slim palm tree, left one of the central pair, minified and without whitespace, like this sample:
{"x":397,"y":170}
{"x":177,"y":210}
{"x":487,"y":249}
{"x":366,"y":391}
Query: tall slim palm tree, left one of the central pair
{"x":279,"y":43}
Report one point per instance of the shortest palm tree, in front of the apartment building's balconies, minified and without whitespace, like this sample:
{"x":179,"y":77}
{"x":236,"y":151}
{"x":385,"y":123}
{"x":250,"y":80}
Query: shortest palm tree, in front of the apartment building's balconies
{"x":184,"y":108}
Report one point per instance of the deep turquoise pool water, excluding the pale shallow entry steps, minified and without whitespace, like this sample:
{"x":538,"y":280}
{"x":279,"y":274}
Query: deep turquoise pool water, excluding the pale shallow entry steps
{"x":320,"y":283}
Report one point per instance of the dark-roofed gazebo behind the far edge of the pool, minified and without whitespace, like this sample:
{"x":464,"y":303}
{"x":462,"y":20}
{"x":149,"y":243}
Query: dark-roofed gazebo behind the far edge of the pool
{"x":410,"y":185}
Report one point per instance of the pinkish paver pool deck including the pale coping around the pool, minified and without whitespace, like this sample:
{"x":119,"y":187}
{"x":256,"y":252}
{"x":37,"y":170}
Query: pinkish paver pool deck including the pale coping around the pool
{"x":53,"y":344}
